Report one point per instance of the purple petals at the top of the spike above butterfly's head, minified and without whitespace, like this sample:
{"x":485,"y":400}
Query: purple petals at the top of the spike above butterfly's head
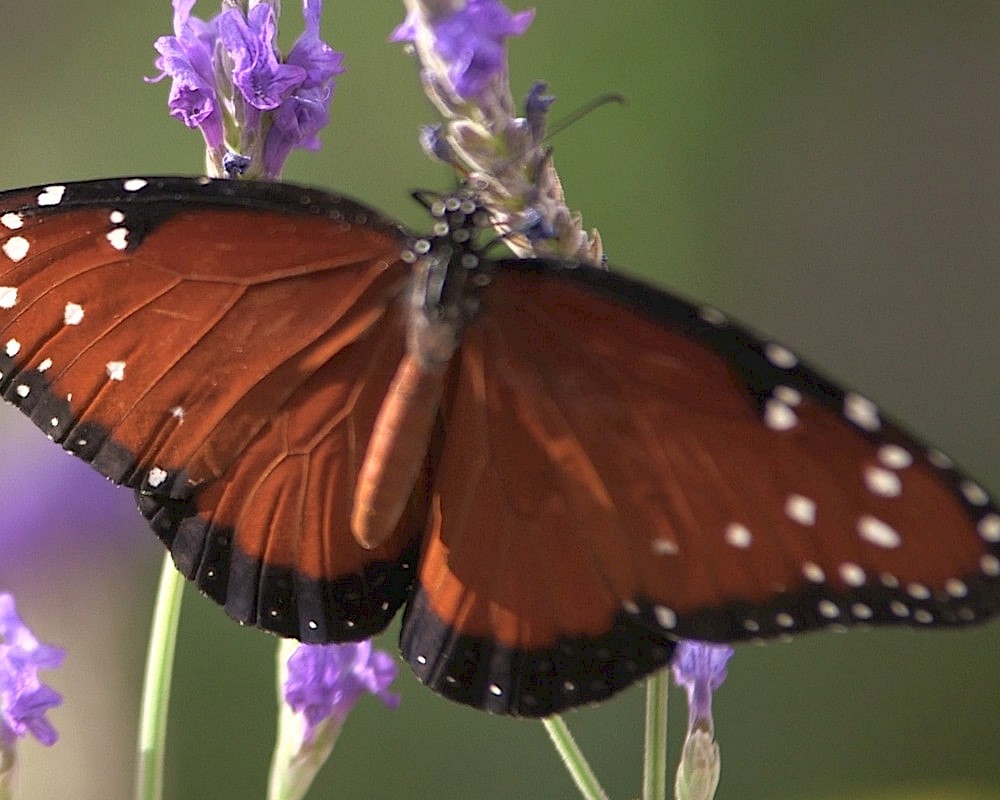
{"x":471,"y":42}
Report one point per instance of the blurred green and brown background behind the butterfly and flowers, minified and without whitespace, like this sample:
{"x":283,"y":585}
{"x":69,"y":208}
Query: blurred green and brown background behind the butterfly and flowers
{"x":828,"y":172}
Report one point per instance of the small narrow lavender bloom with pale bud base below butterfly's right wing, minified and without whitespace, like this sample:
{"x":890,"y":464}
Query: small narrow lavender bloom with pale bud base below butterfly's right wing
{"x":700,"y":668}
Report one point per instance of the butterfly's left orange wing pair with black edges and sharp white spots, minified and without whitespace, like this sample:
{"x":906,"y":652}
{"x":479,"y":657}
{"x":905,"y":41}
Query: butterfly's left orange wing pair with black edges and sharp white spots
{"x":223,"y":348}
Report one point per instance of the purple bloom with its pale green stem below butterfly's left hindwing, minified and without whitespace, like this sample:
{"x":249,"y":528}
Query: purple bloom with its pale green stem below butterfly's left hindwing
{"x":321,"y":685}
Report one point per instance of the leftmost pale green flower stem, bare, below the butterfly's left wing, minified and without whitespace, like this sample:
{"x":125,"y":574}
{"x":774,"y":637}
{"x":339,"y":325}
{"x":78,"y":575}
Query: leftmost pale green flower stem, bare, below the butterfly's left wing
{"x":156,"y":684}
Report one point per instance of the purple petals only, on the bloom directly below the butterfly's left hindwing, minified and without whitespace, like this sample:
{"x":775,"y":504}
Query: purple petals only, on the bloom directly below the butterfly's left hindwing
{"x":325,"y":681}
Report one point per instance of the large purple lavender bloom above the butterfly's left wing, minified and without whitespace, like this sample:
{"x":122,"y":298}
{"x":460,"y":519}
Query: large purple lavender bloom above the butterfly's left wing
{"x":230,"y":80}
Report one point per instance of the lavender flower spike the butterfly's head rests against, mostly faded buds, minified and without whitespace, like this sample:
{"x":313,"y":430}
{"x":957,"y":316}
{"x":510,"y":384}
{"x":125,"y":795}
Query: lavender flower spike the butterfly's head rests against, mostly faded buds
{"x":461,"y":50}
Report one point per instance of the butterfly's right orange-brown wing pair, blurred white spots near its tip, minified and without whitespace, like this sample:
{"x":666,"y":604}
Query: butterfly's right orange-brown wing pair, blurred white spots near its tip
{"x":622,"y":469}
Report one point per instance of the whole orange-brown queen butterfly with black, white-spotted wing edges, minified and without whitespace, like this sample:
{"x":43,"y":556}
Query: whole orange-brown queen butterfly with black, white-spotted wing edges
{"x":558,"y":469}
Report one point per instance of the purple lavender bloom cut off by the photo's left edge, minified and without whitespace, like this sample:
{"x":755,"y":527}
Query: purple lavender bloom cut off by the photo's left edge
{"x":24,"y":699}
